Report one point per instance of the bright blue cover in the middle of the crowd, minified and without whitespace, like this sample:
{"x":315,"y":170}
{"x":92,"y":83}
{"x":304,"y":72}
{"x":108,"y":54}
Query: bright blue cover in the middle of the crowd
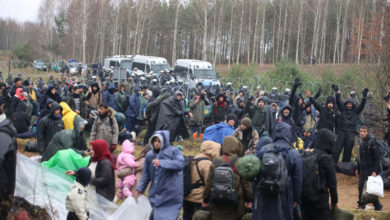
{"x":218,"y":132}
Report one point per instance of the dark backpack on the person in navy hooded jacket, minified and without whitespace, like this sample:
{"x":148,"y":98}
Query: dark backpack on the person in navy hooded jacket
{"x":273,"y":178}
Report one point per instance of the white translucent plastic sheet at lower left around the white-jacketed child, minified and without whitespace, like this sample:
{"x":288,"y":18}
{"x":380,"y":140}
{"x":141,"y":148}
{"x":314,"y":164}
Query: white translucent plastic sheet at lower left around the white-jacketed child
{"x":47,"y":188}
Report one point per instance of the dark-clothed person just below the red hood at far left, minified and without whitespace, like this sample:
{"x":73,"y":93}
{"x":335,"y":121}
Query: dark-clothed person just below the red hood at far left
{"x":21,"y":121}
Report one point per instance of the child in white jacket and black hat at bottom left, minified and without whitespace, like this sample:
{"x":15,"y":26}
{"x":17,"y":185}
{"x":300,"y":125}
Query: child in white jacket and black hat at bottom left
{"x":77,"y":202}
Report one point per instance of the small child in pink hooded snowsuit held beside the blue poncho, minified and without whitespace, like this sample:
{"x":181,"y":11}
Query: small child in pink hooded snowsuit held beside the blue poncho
{"x":126,"y":160}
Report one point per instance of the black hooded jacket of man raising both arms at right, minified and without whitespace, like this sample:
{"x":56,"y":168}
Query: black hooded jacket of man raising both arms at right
{"x":348,"y":117}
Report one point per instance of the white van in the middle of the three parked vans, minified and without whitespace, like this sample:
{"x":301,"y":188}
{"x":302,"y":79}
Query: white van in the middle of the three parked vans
{"x":149,"y":63}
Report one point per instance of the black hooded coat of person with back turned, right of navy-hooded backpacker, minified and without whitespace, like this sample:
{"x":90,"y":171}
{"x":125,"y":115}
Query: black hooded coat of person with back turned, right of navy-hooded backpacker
{"x":324,"y":146}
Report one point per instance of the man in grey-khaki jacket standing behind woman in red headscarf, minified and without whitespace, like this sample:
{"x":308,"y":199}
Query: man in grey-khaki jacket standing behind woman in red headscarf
{"x":105,"y":127}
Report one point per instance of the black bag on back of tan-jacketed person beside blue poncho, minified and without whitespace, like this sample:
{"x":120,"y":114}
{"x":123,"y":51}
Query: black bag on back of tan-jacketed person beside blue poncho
{"x":188,"y":185}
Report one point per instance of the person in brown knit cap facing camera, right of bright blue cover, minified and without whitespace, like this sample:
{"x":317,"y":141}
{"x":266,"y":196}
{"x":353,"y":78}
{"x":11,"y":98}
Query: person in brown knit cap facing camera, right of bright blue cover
{"x":247,"y":135}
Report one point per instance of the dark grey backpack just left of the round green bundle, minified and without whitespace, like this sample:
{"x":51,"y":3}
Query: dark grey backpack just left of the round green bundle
{"x":223,"y":186}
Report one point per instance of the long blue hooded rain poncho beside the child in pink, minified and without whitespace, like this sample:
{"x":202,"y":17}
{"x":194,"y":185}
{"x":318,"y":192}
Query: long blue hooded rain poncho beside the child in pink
{"x":166,"y":188}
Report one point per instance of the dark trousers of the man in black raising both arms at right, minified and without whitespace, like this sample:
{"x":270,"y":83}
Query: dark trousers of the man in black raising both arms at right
{"x":344,"y":140}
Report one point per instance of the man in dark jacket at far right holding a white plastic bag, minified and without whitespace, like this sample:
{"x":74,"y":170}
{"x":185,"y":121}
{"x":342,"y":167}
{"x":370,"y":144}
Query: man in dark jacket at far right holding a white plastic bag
{"x":369,"y":164}
